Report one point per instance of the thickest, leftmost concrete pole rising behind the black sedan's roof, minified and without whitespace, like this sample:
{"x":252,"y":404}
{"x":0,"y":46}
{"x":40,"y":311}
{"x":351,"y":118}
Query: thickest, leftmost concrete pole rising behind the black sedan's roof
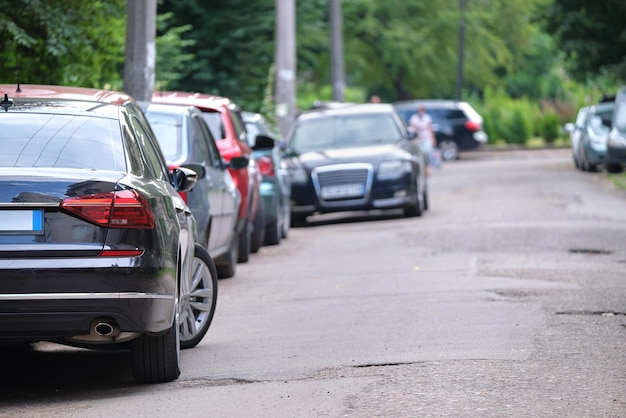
{"x":140,"y":55}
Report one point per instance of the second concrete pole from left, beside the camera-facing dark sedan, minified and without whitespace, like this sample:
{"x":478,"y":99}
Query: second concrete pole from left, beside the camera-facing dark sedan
{"x":285,"y":94}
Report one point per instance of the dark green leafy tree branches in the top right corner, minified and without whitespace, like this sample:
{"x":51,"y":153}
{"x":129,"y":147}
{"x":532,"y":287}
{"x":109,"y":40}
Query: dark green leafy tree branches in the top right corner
{"x":592,"y":35}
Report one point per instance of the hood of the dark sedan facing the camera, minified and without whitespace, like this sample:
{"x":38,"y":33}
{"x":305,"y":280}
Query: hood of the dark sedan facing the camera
{"x":370,"y":154}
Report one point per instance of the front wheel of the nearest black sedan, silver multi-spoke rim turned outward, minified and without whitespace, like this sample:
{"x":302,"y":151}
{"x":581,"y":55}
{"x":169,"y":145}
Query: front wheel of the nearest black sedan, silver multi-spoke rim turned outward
{"x":198,"y":300}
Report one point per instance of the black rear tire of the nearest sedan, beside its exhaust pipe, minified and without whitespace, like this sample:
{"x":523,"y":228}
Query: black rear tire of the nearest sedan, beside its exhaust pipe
{"x":156,"y":358}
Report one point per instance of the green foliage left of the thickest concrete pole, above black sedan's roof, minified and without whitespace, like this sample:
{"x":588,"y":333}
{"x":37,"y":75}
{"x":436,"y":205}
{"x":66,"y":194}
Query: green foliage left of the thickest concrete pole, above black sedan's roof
{"x":74,"y":42}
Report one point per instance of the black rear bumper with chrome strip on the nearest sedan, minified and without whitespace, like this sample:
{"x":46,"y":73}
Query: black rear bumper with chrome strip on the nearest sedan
{"x":63,"y":299}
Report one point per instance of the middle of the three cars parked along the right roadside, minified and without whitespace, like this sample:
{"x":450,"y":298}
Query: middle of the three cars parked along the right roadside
{"x":593,"y":136}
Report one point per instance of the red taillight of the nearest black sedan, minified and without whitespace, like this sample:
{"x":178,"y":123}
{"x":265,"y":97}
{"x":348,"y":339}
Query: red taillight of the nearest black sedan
{"x":121,"y":209}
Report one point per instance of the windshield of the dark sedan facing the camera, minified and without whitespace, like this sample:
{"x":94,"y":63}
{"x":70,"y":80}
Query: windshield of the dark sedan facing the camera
{"x":344,"y":131}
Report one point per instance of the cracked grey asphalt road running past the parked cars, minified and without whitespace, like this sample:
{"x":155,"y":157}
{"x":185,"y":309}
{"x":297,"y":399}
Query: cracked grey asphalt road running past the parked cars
{"x":506,"y":299}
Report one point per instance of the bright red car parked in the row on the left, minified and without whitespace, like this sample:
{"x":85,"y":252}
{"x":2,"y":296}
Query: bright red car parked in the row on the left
{"x":224,"y":120}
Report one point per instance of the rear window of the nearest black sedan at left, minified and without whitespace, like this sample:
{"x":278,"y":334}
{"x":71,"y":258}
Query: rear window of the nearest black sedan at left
{"x":61,"y":141}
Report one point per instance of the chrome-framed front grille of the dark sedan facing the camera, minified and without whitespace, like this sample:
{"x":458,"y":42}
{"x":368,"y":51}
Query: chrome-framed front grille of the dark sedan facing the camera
{"x":343,"y":183}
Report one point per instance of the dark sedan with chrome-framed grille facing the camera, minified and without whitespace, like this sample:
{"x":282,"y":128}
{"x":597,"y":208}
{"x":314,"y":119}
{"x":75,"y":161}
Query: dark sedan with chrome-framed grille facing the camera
{"x":354,"y":157}
